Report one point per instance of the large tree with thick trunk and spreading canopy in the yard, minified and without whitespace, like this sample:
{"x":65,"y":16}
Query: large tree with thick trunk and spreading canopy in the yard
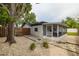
{"x":15,"y":11}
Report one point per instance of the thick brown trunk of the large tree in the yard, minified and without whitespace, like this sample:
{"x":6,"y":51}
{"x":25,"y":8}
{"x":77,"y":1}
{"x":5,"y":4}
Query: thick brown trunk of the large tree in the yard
{"x":10,"y":35}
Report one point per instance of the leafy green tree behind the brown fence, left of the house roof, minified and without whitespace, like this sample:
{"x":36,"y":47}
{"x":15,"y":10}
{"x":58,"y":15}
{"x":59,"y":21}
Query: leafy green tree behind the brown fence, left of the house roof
{"x":29,"y":18}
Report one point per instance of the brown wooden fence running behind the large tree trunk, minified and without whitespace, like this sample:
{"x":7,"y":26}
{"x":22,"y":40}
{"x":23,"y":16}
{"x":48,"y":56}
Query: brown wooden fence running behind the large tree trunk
{"x":18,"y":31}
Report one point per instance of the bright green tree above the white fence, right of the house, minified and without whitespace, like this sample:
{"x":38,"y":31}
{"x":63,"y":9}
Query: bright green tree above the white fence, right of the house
{"x":70,"y":22}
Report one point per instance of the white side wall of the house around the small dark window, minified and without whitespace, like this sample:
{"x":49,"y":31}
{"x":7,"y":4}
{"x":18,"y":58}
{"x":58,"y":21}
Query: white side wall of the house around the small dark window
{"x":38,"y":33}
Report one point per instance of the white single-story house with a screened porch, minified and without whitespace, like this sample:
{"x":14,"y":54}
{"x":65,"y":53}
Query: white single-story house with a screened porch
{"x":41,"y":29}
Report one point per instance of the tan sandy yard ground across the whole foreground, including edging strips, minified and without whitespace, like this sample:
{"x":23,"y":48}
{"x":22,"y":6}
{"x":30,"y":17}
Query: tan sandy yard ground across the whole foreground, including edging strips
{"x":68,"y":46}
